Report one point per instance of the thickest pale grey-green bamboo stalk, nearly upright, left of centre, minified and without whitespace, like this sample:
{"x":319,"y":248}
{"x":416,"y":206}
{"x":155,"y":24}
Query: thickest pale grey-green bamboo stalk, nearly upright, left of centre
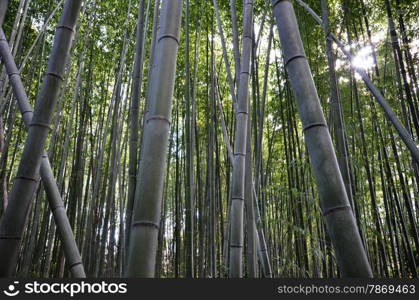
{"x":149,"y":191}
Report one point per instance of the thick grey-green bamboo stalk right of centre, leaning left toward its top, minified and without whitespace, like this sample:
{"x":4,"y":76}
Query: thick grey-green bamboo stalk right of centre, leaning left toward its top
{"x":334,"y":202}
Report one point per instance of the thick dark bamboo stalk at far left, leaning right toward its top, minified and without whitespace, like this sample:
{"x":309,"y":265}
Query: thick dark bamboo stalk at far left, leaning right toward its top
{"x":12,"y":223}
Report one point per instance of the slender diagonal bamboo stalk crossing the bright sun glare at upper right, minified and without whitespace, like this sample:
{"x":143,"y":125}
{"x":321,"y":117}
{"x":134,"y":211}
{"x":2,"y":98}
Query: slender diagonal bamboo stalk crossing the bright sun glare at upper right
{"x":403,"y":133}
